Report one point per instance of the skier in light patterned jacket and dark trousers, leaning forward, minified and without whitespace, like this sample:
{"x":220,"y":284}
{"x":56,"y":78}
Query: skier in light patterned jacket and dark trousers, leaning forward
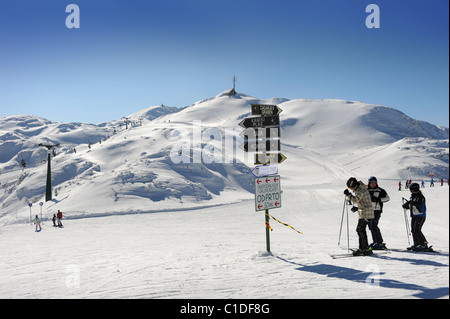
{"x":361,"y":197}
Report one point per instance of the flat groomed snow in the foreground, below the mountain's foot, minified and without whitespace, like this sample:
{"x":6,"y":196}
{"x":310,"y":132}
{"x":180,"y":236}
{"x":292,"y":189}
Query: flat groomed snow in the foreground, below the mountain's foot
{"x":219,"y":252}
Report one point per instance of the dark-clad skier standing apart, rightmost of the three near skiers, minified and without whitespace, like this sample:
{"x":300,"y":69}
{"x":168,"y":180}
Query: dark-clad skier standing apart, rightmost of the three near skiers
{"x":418,"y":212}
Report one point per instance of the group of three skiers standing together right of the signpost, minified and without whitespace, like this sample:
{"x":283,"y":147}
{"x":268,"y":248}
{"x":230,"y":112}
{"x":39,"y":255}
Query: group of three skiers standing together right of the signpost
{"x":368,"y":201}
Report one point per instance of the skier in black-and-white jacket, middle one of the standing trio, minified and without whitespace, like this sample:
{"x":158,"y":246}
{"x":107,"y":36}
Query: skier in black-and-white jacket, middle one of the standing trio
{"x":378,"y":196}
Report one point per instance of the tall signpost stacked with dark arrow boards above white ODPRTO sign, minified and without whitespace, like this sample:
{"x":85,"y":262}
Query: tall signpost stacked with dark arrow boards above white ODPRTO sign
{"x":262,"y":135}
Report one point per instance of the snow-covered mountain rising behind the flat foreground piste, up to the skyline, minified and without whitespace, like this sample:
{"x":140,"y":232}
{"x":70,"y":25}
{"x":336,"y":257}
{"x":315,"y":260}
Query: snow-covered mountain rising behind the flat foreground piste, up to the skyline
{"x":170,"y":158}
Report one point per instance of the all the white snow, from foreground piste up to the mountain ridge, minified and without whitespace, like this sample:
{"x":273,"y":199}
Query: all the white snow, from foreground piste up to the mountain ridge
{"x":150,"y":214}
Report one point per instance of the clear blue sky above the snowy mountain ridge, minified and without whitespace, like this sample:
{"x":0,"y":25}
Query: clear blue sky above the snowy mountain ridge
{"x":128,"y":55}
